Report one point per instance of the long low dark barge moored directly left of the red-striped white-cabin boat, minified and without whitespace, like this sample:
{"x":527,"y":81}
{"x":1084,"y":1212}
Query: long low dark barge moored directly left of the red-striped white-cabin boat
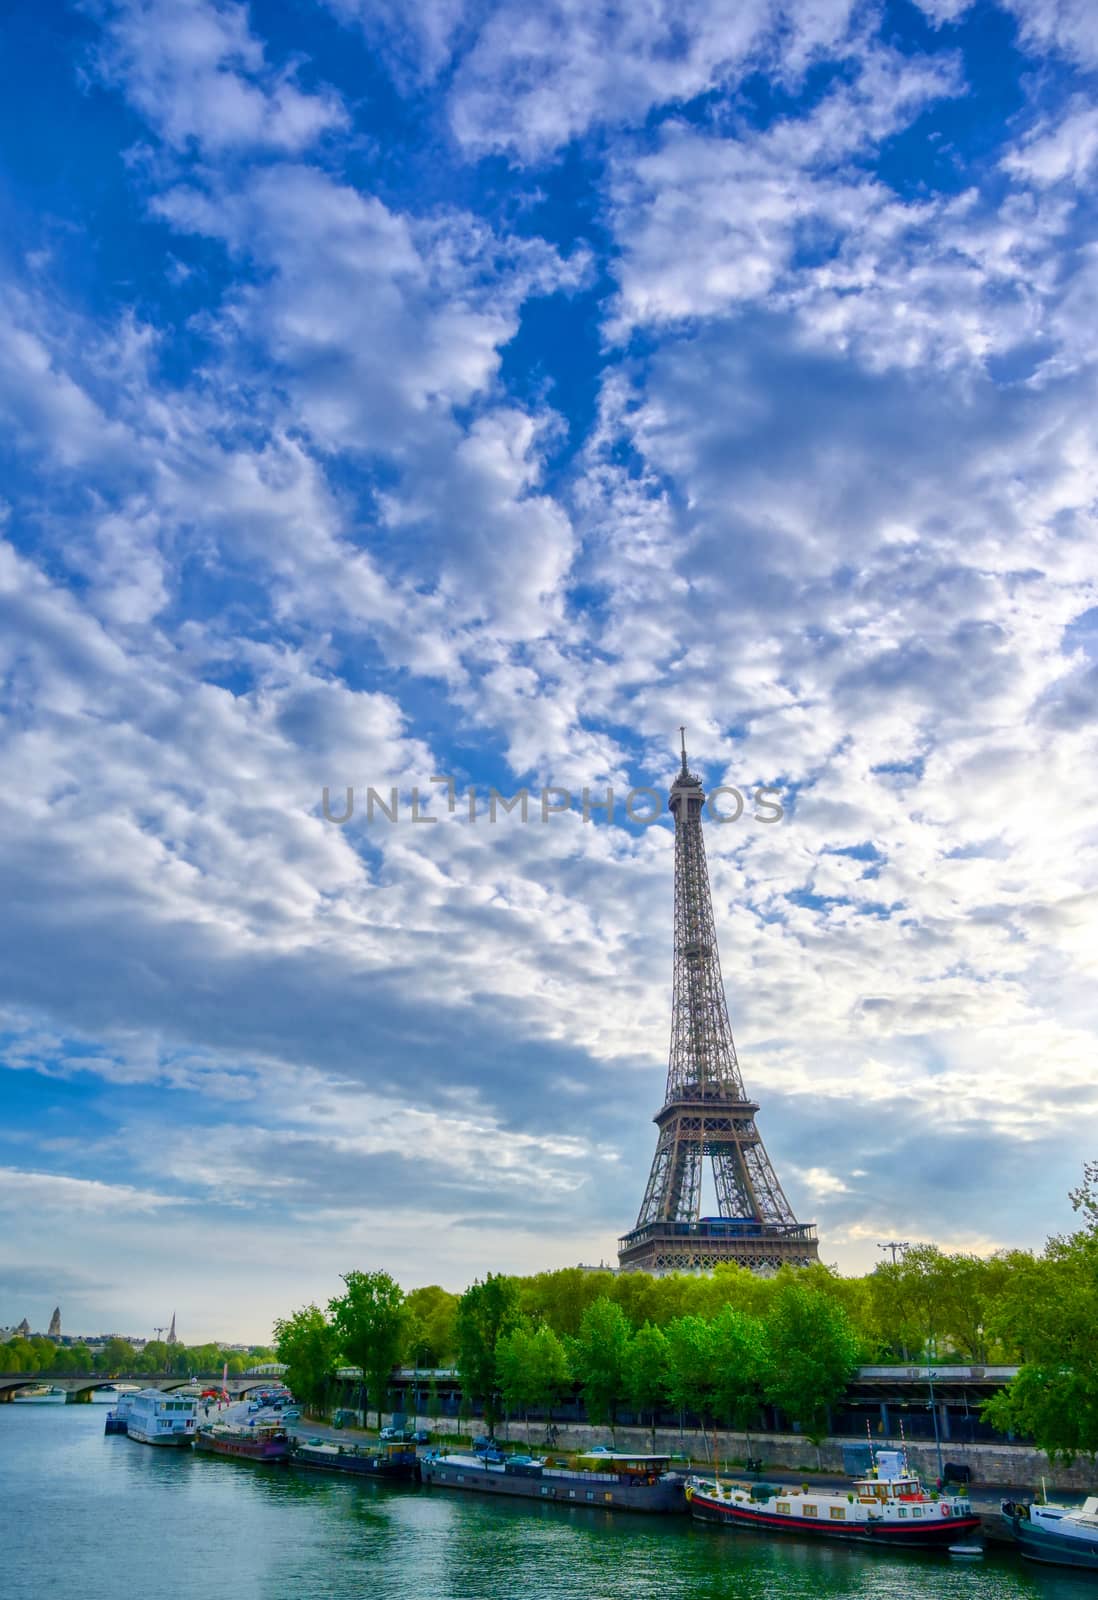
{"x":612,"y":1481}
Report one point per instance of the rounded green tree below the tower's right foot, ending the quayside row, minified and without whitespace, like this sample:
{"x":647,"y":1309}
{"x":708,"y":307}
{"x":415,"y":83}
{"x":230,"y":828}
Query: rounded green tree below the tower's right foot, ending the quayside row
{"x":814,"y":1351}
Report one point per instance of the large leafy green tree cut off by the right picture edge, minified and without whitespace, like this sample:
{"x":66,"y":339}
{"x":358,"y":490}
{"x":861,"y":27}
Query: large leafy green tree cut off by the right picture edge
{"x":1049,"y":1311}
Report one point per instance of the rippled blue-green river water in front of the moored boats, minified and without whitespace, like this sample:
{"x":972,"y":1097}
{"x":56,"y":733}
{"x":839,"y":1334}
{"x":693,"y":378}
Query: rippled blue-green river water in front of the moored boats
{"x":94,"y":1518}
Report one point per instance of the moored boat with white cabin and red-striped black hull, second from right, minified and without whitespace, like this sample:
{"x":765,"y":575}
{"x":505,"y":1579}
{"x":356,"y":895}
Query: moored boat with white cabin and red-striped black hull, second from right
{"x":889,"y":1506}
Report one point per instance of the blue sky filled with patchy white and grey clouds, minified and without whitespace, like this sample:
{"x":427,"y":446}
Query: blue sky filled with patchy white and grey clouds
{"x":483,"y":391}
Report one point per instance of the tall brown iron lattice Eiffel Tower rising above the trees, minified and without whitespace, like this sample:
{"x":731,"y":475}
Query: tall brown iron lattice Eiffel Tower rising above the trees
{"x":707,"y":1111}
